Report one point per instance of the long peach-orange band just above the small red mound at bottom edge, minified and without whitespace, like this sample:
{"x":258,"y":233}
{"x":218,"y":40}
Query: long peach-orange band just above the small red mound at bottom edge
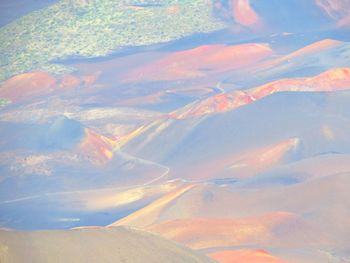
{"x":201,"y":233}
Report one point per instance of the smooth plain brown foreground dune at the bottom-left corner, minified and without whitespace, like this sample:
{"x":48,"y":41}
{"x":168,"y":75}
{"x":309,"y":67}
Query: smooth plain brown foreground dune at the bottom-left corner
{"x":91,"y":245}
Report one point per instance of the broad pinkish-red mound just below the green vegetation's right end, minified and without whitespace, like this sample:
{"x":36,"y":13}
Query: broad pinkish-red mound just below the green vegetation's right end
{"x":200,"y":61}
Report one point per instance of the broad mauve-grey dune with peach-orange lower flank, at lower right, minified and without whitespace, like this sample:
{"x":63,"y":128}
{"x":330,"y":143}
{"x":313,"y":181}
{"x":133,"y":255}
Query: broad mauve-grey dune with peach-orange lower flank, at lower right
{"x":210,"y":216}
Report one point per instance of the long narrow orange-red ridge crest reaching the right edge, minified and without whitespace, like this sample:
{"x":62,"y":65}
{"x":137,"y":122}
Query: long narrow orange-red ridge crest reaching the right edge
{"x":328,"y":81}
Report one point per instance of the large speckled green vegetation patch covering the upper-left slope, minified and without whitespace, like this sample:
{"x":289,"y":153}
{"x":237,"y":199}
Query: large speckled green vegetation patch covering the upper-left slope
{"x":85,"y":28}
